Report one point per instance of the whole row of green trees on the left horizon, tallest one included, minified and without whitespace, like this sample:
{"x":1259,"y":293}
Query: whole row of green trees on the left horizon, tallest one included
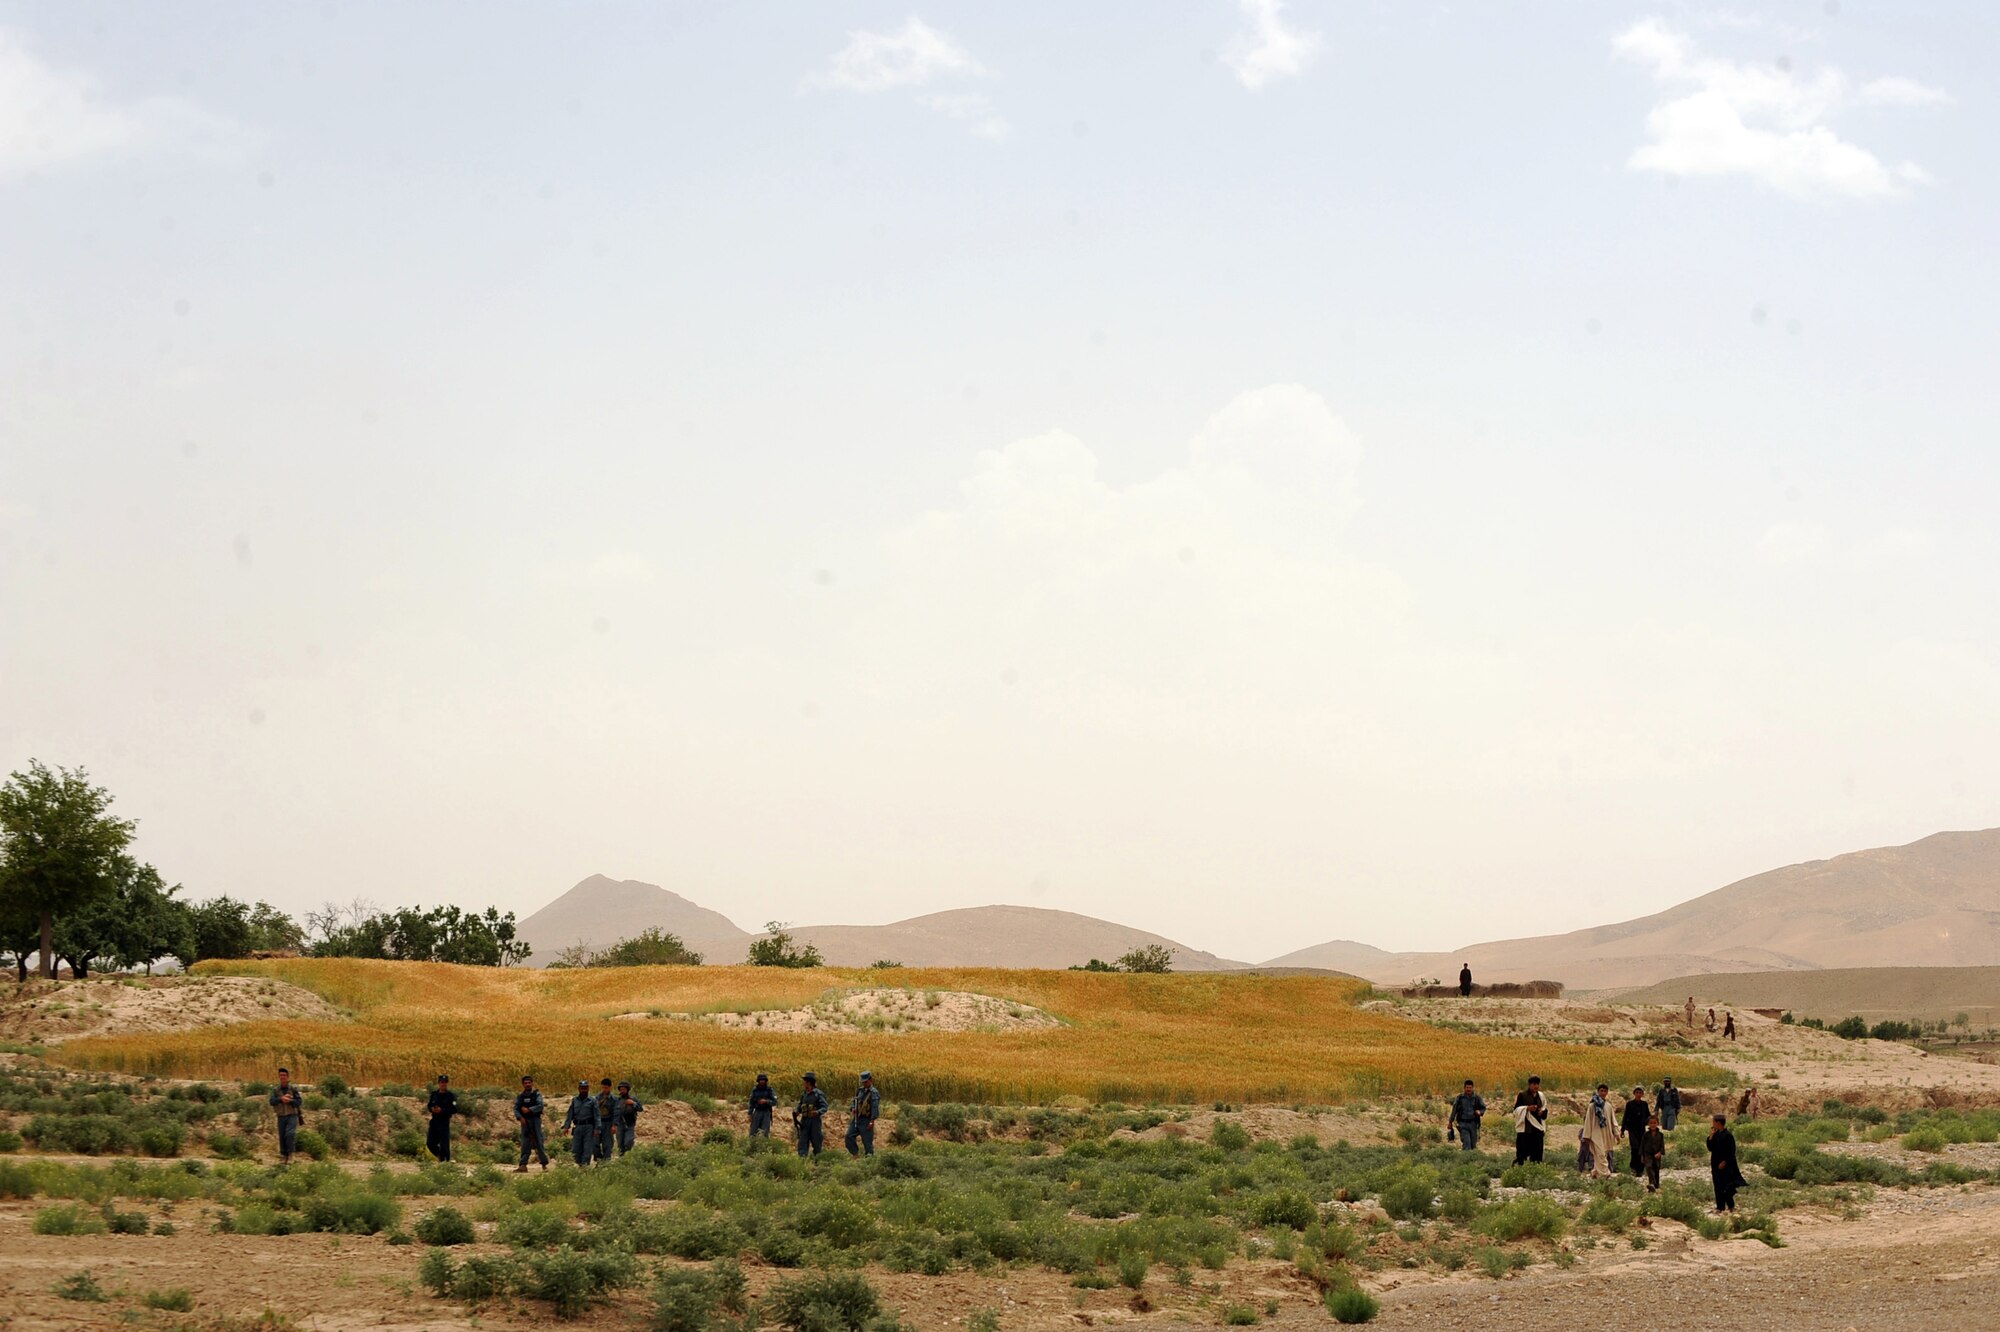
{"x":75,"y":895}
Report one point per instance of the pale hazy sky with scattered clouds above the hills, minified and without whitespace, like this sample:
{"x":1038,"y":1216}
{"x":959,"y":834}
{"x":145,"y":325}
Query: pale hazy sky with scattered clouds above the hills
{"x":1383,"y":471}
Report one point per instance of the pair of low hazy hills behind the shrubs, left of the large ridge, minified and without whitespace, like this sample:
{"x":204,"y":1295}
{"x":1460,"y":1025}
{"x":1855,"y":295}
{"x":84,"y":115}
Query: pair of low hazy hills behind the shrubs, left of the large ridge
{"x":603,"y":911}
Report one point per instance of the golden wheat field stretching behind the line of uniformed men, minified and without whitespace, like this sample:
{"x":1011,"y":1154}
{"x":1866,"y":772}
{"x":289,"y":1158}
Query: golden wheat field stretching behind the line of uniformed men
{"x":1141,"y":1039}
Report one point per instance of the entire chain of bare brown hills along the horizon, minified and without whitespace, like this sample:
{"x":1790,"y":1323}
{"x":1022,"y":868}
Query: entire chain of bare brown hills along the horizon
{"x":1933,"y":903}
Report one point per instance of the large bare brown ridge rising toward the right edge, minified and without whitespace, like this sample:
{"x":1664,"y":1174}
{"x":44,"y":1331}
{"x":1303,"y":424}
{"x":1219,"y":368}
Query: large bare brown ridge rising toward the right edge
{"x":1933,"y":903}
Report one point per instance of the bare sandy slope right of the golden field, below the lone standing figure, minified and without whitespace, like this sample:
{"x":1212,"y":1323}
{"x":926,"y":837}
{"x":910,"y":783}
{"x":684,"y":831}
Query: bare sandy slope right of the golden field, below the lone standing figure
{"x":1795,"y":1067}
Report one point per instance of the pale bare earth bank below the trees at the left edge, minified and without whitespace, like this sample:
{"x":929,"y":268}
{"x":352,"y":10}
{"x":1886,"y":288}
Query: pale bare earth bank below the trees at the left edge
{"x":63,"y":1009}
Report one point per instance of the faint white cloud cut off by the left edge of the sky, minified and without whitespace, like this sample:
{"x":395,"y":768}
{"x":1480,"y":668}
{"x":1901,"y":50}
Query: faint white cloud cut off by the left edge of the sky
{"x":53,"y":117}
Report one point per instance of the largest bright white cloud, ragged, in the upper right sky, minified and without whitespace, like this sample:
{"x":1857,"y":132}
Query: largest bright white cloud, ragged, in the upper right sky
{"x":1761,"y":121}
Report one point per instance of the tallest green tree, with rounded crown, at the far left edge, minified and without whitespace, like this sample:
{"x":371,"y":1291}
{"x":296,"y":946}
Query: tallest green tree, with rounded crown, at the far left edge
{"x":59,"y":847}
